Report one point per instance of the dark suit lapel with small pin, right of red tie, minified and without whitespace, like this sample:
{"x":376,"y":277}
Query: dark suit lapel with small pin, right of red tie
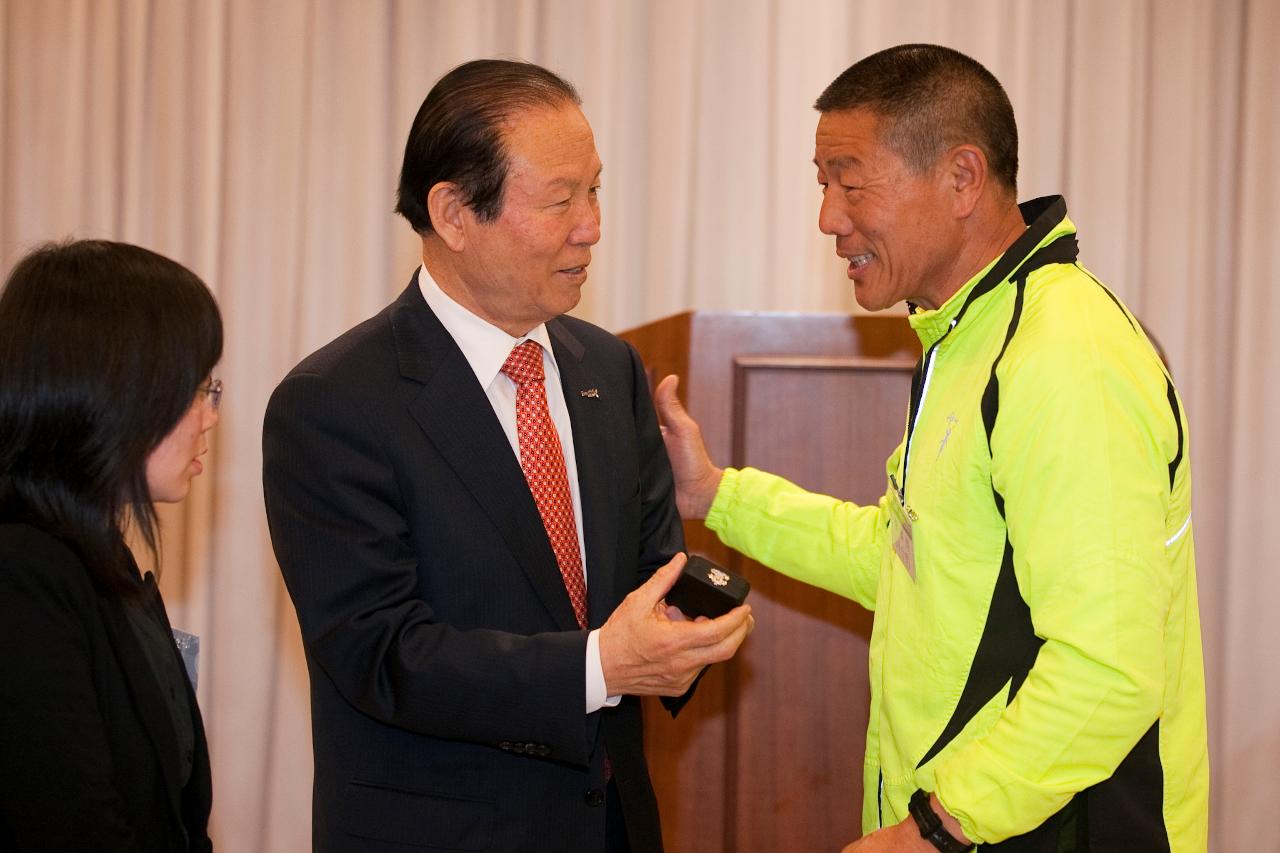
{"x":588,"y":400}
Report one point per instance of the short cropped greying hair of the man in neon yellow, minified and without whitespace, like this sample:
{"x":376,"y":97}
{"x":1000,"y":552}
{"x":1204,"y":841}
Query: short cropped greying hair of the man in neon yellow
{"x":931,"y":99}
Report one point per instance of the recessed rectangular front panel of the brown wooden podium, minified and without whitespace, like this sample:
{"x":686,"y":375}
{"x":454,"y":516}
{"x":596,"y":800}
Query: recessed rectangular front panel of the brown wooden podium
{"x":801,"y":709}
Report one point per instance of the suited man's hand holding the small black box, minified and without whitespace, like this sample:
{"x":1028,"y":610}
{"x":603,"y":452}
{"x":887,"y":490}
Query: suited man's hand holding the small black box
{"x":648,"y":649}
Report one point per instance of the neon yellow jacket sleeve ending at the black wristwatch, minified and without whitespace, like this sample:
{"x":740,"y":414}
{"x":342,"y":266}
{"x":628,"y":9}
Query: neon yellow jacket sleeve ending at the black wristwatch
{"x":1081,"y":457}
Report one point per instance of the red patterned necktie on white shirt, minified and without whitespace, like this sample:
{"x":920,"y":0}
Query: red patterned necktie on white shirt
{"x":543,"y":462}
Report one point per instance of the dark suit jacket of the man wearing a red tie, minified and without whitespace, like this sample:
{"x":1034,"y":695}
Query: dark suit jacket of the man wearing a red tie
{"x":447,"y":670}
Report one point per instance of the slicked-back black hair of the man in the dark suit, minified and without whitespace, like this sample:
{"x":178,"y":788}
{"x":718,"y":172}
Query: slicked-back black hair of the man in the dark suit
{"x":458,"y":134}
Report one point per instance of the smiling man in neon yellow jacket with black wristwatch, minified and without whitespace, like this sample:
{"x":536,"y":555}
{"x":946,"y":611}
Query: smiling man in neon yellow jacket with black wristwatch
{"x":1036,"y":670}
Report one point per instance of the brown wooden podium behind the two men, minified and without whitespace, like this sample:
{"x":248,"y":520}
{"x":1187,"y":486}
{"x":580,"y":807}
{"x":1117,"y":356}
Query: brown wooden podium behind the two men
{"x":769,"y":756}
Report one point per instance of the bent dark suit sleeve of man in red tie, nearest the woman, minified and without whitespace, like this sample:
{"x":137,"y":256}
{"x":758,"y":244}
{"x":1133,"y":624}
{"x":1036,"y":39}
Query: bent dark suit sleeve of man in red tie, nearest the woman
{"x":340,"y":530}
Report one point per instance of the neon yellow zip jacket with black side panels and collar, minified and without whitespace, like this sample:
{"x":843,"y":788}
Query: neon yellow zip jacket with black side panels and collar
{"x":1041,"y":672}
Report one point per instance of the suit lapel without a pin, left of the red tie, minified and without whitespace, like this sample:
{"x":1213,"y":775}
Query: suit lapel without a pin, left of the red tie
{"x":456,"y":417}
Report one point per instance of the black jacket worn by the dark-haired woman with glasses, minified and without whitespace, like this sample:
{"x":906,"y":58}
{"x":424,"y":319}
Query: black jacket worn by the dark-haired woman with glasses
{"x":89,"y":758}
